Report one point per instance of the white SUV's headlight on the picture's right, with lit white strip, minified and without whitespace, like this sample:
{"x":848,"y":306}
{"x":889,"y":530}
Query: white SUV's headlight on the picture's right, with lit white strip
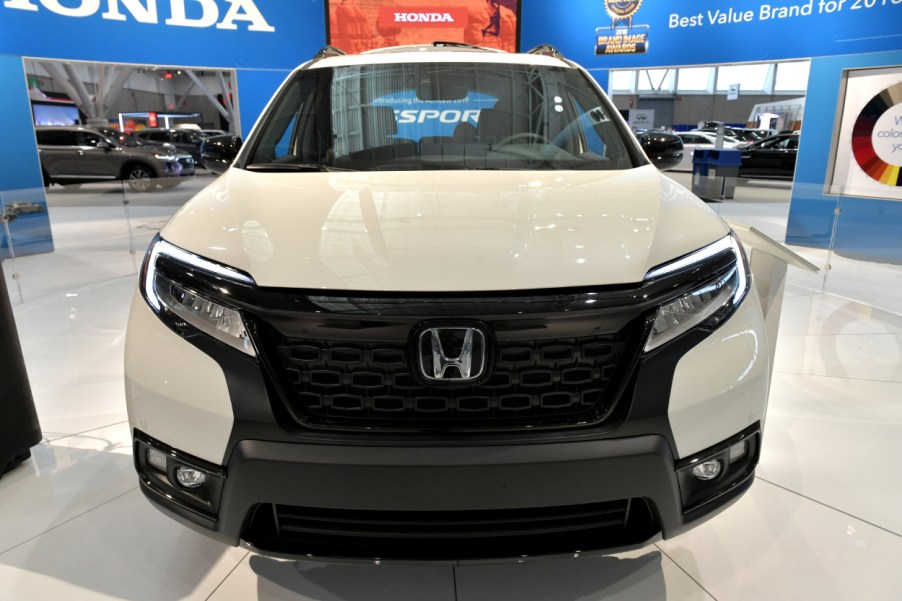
{"x":708,"y":305}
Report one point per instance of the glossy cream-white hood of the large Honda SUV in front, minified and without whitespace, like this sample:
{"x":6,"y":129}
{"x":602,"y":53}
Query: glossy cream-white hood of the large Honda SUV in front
{"x":436,"y":231}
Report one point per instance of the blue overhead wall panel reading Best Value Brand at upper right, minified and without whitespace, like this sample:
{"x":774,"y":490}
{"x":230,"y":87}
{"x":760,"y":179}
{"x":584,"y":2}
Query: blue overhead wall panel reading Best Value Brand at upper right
{"x":571,"y":25}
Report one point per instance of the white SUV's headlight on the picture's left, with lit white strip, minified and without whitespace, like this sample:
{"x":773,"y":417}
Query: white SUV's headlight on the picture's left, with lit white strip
{"x":209,"y":316}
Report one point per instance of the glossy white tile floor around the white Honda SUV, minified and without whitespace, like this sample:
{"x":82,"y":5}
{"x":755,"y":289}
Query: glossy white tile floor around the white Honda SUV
{"x":822,"y":522}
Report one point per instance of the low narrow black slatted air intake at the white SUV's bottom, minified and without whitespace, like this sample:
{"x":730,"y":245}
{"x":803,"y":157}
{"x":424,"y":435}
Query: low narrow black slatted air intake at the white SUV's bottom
{"x":447,"y":535}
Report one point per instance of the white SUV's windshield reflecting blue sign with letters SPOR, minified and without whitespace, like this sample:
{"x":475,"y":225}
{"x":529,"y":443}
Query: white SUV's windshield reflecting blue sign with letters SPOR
{"x":401,"y":117}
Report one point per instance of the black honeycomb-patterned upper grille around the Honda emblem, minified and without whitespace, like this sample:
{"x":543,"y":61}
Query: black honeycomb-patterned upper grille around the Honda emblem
{"x":370,"y":385}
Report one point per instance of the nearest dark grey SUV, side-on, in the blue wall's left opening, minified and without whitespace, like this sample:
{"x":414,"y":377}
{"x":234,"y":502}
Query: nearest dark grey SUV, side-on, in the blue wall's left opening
{"x":81,"y":155}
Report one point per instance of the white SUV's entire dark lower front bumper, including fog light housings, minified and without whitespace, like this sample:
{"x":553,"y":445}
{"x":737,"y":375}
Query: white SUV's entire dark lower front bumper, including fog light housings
{"x":446,"y":504}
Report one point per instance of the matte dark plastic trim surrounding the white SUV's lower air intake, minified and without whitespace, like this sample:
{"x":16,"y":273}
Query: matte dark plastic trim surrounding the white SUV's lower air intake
{"x":379,"y":478}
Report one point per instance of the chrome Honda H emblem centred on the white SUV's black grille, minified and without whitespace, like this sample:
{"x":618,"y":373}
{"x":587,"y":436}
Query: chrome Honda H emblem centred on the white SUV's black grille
{"x":452,"y":354}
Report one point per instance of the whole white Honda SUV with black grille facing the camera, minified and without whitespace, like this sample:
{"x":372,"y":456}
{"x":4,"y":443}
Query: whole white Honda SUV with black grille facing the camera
{"x":442,"y":307}
